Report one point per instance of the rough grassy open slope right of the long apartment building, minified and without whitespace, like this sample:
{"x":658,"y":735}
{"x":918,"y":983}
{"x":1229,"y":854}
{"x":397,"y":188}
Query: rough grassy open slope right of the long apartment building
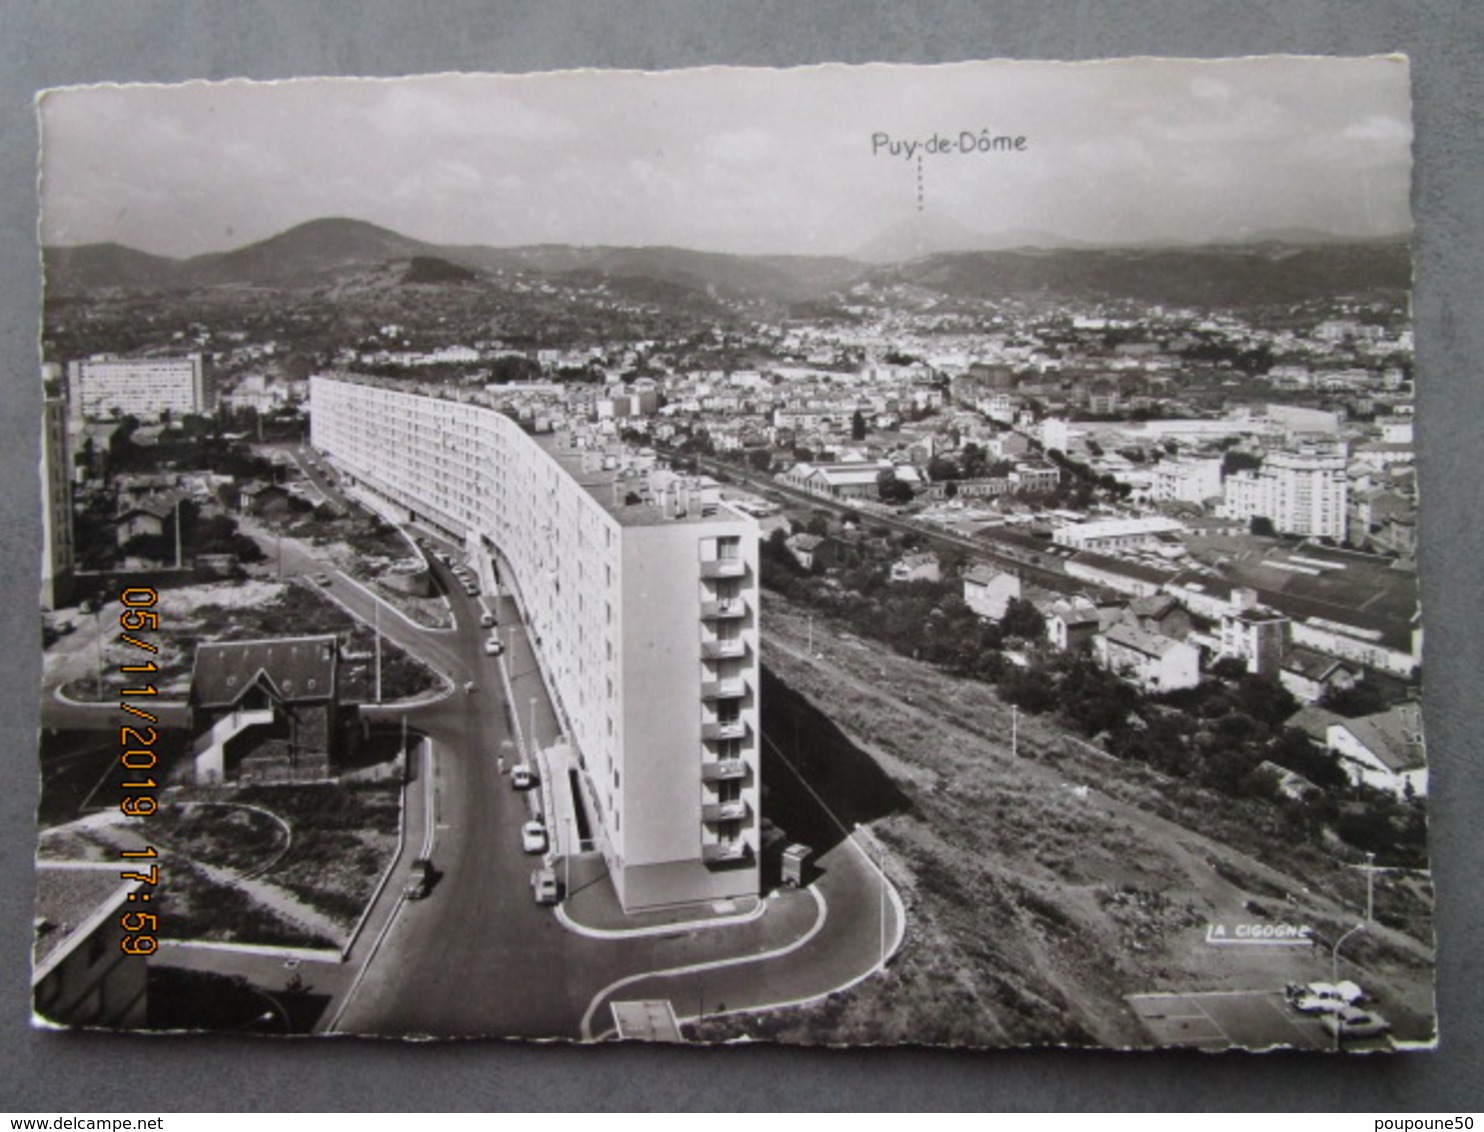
{"x":1047,"y":885}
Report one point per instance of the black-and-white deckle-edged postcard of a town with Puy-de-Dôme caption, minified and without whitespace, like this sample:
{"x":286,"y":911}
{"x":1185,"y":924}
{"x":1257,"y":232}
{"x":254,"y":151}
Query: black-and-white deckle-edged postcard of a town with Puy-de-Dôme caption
{"x":839,"y":556}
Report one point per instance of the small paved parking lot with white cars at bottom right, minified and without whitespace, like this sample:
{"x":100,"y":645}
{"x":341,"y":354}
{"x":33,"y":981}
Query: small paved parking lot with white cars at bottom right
{"x":1225,"y":1020}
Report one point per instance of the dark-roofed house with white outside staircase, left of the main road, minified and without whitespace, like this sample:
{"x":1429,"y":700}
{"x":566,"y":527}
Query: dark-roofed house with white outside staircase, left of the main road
{"x":265,"y":711}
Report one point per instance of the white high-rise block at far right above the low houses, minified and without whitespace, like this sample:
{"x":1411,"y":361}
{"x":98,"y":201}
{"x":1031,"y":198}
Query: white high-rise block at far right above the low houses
{"x":1302,"y":492}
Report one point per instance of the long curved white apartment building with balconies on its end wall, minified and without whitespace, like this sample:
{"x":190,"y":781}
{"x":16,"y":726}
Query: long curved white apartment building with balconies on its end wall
{"x":640,"y":594}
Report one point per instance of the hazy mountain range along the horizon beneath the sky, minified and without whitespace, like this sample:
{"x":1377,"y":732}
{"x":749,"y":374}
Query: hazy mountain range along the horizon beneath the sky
{"x":934,"y":254}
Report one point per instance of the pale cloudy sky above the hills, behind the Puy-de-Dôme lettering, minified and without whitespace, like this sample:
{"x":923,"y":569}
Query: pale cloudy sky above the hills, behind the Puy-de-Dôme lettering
{"x":740,"y":159}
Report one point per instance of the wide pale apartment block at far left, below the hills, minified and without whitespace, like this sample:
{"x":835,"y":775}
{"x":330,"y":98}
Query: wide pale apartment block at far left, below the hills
{"x":145,"y":388}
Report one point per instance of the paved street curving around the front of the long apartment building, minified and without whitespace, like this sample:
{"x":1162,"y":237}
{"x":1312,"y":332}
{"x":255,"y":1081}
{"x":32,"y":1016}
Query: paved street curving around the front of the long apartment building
{"x":479,"y":958}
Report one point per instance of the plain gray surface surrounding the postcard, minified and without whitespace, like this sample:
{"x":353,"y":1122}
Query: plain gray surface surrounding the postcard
{"x":62,"y":42}
